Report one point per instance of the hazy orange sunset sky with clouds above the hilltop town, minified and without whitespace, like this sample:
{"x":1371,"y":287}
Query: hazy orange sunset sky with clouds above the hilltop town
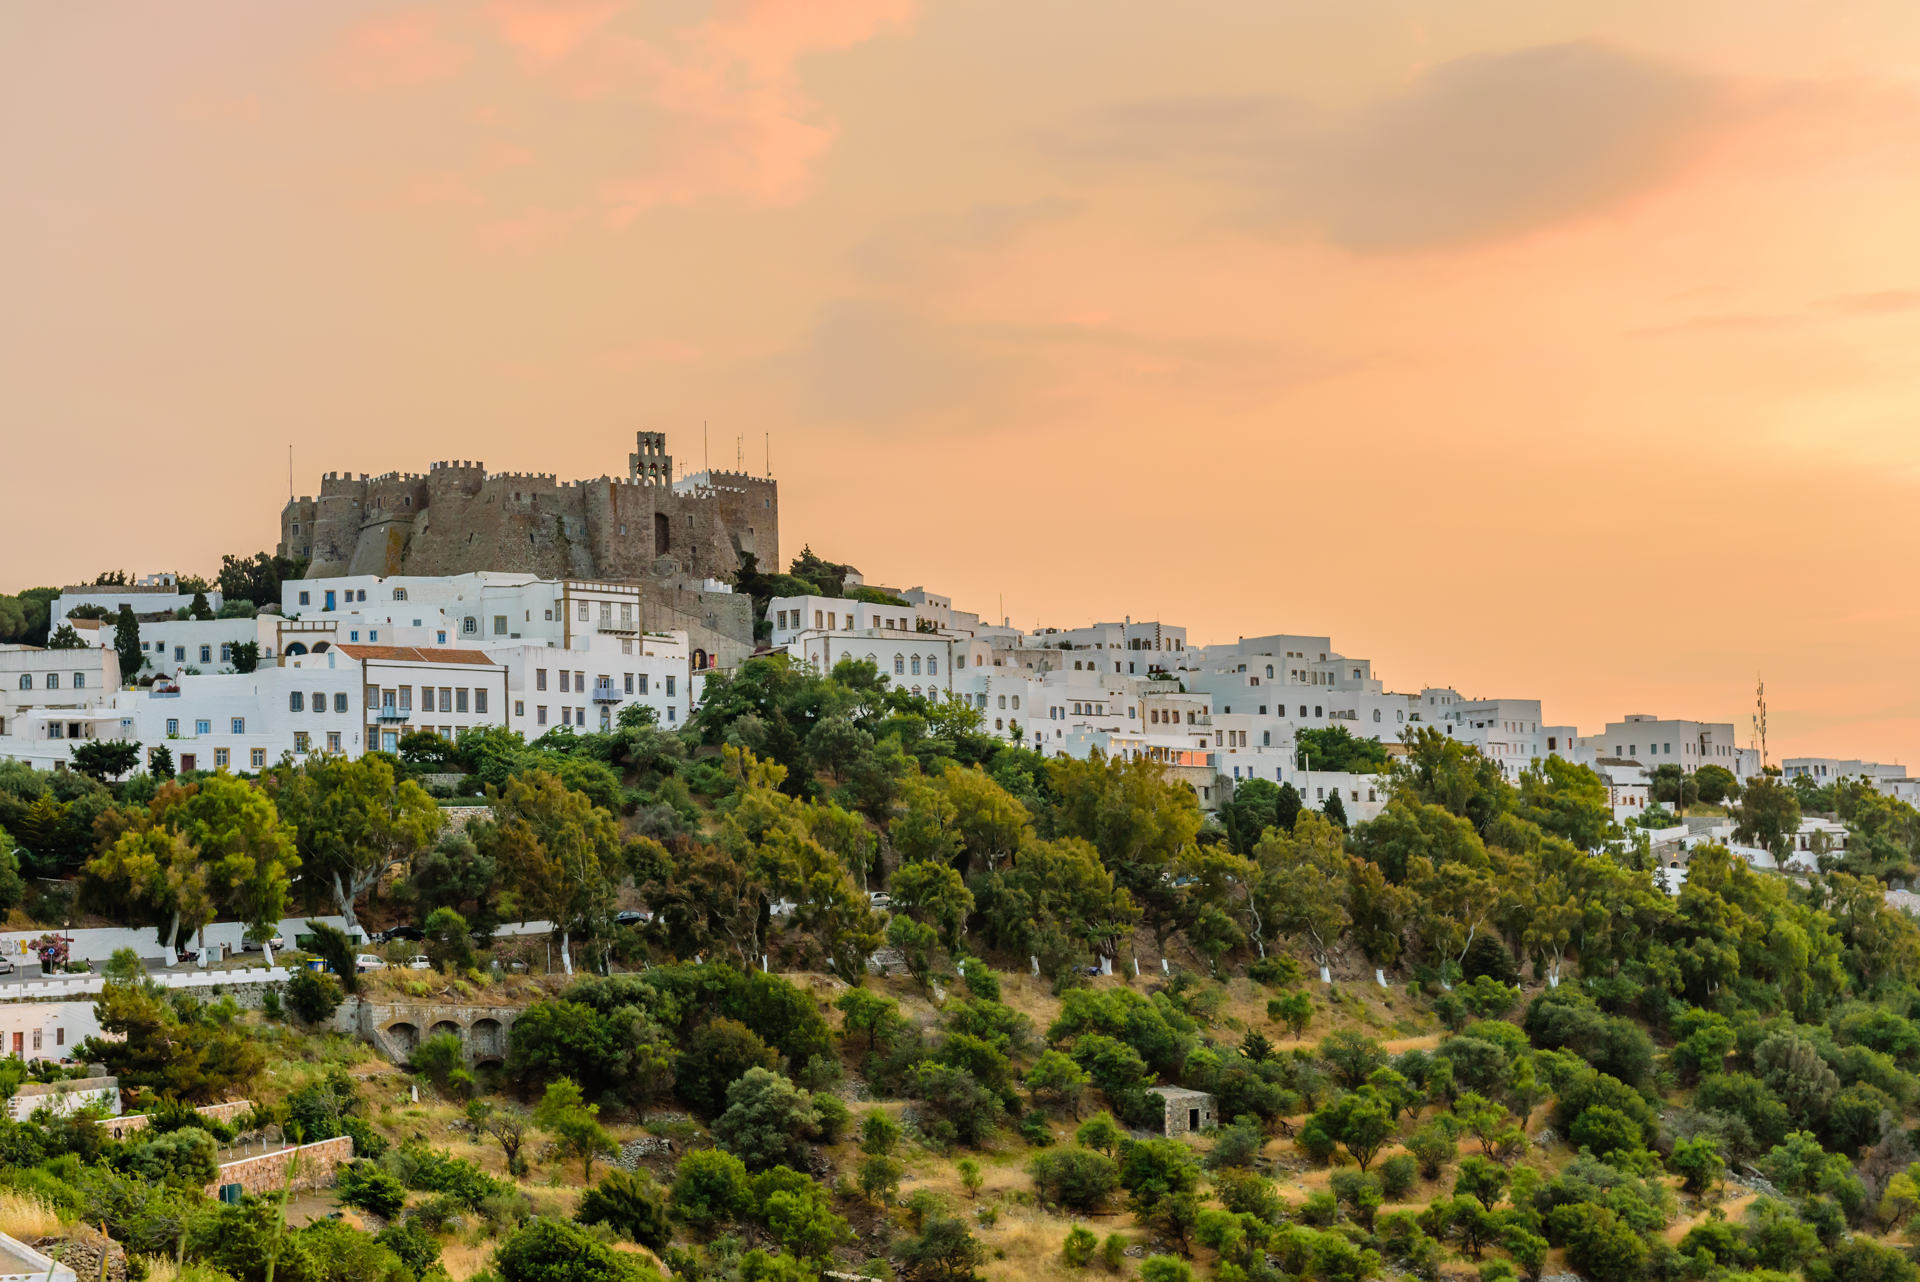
{"x":1547,"y":350}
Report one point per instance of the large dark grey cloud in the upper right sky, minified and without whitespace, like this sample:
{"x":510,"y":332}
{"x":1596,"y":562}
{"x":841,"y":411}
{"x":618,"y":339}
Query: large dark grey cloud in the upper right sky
{"x":1477,"y":151}
